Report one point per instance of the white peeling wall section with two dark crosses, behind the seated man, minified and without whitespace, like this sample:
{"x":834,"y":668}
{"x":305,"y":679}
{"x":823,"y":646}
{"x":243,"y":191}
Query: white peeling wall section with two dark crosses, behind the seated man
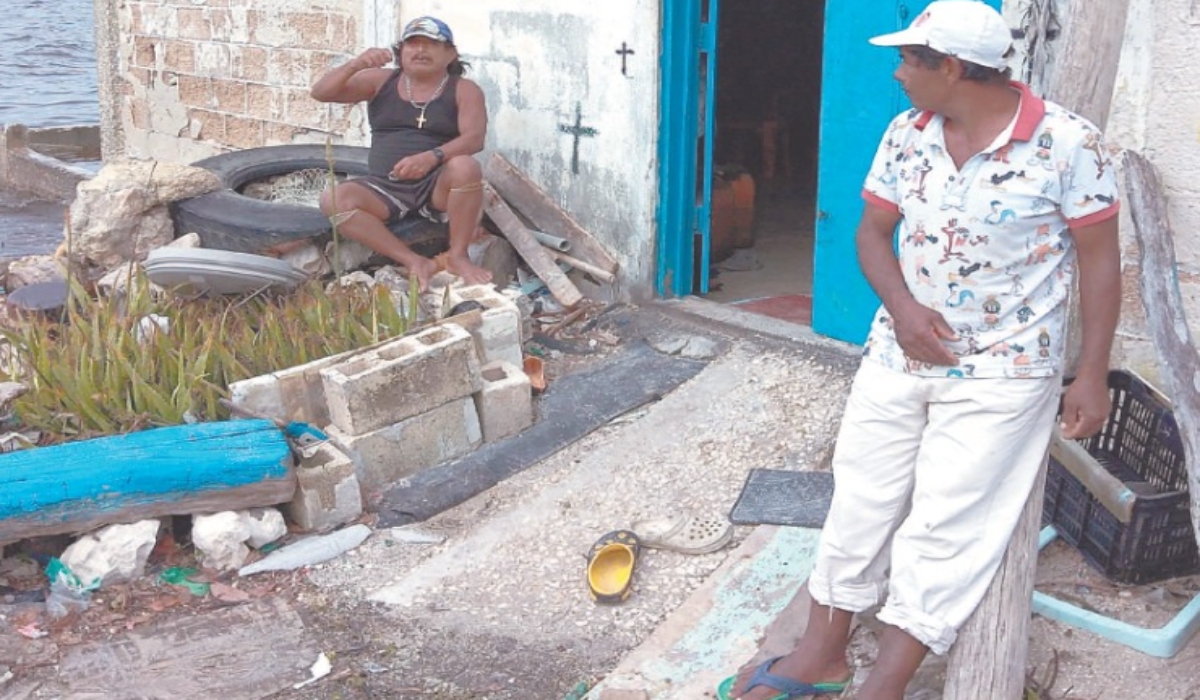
{"x":537,"y":61}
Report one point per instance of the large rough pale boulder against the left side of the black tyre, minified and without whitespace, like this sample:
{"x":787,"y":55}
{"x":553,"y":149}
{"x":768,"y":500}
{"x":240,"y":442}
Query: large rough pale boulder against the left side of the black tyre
{"x":122,"y":214}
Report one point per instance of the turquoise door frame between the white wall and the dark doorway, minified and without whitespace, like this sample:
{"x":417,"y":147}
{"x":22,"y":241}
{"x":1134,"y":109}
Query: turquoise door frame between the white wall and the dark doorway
{"x":689,"y":40}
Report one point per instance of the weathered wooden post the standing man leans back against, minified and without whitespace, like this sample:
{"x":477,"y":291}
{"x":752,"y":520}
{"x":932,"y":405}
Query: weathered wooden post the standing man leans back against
{"x":989,"y":659}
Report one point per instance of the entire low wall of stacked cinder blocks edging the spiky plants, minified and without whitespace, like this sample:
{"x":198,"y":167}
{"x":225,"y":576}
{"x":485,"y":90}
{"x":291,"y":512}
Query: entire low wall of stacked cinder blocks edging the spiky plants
{"x":401,"y":406}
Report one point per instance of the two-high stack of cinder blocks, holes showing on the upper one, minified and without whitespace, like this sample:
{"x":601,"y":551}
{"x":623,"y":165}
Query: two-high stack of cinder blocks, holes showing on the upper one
{"x":406,"y":406}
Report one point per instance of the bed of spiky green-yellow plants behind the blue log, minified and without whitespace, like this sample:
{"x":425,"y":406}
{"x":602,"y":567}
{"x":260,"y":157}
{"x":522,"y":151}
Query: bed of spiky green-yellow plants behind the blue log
{"x":110,"y":367}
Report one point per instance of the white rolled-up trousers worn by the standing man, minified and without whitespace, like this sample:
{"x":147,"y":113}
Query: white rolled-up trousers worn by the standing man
{"x":932,"y":476}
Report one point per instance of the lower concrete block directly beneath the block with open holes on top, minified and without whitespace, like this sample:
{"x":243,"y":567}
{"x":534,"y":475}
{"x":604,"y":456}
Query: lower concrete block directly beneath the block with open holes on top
{"x":391,"y":454}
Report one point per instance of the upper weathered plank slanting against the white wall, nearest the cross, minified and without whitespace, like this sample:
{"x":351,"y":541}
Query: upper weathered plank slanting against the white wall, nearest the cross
{"x":532,"y":201}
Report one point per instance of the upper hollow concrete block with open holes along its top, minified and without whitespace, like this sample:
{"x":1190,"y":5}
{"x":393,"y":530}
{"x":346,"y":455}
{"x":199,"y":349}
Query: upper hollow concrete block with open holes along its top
{"x":401,"y":380}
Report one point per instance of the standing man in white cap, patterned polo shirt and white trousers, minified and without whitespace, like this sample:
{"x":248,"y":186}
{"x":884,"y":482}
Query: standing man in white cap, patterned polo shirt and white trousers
{"x":981,"y":205}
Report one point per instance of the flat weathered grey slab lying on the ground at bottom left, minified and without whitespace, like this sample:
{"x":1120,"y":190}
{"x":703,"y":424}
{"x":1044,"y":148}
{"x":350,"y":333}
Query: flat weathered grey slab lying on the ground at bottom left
{"x":237,"y":654}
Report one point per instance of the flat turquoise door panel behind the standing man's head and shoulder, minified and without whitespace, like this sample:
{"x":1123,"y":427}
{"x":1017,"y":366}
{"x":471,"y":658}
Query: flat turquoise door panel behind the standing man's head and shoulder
{"x":860,"y":97}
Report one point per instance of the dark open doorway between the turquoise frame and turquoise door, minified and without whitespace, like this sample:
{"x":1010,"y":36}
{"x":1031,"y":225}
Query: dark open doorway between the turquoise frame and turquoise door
{"x":767,"y":134}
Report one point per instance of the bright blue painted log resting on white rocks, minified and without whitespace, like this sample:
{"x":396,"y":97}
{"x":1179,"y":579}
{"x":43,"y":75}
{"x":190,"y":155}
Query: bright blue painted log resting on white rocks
{"x":207,"y":468}
